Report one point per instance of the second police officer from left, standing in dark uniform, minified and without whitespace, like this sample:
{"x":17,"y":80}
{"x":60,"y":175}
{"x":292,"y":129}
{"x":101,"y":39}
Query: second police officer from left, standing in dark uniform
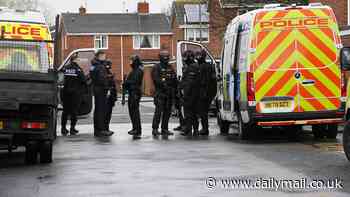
{"x":99,"y":76}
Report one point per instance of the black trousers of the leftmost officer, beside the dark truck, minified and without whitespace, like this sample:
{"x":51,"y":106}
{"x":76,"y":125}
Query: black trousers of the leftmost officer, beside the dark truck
{"x":71,"y":104}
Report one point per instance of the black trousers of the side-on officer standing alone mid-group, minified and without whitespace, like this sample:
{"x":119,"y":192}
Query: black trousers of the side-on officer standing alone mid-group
{"x":134,"y":110}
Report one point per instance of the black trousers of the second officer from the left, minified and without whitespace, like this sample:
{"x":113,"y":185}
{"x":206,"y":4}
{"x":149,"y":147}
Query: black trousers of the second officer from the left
{"x":100,"y":112}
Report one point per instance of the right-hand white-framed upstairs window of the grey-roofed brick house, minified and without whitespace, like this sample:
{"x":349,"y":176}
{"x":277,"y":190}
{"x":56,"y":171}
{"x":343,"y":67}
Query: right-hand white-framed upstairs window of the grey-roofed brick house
{"x":146,"y":42}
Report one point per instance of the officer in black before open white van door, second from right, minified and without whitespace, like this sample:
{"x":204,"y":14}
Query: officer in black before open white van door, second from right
{"x":190,"y":84}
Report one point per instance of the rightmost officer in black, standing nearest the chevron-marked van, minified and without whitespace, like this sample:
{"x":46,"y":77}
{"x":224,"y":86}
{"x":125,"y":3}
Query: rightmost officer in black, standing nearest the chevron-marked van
{"x":208,"y":89}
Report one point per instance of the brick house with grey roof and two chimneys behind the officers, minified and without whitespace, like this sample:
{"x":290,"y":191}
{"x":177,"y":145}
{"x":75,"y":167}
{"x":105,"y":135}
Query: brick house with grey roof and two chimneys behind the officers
{"x":120,"y":35}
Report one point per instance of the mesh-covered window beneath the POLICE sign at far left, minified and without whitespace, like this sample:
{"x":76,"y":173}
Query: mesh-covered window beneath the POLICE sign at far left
{"x":22,"y":56}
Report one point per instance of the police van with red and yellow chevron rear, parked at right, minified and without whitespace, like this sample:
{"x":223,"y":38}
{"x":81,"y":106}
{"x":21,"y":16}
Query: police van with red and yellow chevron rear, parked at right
{"x":280,"y":67}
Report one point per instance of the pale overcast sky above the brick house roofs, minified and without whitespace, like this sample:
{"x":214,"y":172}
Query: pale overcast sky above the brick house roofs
{"x":105,"y":5}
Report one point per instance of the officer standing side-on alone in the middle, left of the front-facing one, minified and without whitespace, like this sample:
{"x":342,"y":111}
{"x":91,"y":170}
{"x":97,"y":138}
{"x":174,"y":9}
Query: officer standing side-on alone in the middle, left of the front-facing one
{"x":133,"y":85}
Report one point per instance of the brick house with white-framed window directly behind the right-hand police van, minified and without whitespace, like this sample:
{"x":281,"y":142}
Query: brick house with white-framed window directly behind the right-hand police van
{"x":219,"y":12}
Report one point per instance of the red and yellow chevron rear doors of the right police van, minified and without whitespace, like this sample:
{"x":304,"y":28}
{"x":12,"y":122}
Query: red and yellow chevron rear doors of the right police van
{"x":295,"y":62}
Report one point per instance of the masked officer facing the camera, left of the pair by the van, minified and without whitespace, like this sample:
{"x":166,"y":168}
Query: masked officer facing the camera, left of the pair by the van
{"x":165,"y":82}
